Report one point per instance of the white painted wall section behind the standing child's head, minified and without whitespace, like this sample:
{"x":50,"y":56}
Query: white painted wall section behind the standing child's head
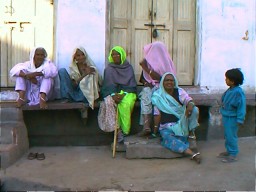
{"x":223,"y":24}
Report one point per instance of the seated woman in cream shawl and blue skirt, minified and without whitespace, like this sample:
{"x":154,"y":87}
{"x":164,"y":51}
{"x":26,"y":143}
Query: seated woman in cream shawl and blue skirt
{"x":82,"y":84}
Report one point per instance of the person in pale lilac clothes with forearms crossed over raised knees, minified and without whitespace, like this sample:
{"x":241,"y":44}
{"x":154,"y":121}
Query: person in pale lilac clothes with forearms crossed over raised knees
{"x":35,"y":79}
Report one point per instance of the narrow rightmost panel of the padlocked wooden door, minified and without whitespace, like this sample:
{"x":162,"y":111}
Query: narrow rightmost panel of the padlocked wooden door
{"x":184,"y":40}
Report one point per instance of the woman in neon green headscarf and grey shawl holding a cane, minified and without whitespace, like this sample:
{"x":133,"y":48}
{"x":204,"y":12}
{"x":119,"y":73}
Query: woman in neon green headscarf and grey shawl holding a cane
{"x":119,"y":93}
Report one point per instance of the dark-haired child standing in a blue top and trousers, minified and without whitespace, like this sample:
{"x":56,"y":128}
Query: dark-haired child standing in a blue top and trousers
{"x":233,"y":112}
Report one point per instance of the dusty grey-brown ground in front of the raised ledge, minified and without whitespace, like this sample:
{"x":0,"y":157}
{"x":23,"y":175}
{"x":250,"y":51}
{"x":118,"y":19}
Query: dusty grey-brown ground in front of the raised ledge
{"x":93,"y":168}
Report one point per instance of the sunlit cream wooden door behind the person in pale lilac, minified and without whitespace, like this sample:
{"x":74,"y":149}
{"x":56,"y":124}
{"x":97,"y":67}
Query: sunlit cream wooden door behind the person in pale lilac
{"x":23,"y":25}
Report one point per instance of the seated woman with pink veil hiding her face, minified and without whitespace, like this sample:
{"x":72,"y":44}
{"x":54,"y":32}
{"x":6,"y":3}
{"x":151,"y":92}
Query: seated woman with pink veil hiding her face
{"x":156,"y":62}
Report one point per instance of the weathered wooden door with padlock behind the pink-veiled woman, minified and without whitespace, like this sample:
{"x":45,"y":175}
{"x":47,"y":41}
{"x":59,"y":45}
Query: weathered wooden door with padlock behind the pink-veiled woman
{"x":135,"y":23}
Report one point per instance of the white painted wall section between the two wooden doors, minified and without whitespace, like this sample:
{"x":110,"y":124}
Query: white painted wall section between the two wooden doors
{"x":80,"y":22}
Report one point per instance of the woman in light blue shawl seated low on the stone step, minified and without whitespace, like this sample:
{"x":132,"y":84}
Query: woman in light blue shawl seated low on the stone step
{"x":176,"y":116}
